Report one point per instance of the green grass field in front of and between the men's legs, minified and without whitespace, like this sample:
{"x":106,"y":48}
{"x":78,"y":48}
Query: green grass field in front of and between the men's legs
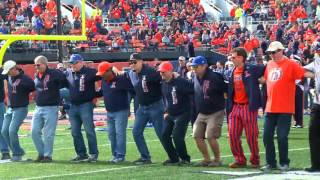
{"x":61,"y":168}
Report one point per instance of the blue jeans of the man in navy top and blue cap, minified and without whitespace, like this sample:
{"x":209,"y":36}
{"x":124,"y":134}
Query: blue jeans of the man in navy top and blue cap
{"x":78,"y":115}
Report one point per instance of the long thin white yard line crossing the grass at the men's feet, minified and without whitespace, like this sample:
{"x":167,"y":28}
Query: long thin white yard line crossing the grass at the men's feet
{"x":127,"y":167}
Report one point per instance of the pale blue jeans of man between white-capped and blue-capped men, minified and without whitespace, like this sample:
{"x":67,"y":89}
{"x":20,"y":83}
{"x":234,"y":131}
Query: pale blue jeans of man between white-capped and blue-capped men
{"x":44,"y":120}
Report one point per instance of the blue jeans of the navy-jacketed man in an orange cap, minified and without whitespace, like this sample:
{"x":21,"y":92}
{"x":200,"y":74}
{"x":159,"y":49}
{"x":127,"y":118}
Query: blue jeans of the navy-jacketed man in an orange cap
{"x":117,"y":125}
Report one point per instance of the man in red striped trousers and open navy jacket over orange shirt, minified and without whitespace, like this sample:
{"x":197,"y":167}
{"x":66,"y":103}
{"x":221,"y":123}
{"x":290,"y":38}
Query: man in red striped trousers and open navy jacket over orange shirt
{"x":244,"y":100}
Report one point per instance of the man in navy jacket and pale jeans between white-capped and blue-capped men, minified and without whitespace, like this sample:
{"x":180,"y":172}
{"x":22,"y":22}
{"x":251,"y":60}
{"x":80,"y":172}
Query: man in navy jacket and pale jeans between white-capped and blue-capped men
{"x":44,"y":122}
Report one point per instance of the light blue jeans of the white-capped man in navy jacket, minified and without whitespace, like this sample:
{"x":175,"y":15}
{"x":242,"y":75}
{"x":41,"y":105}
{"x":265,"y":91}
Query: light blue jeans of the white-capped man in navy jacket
{"x":12,"y":121}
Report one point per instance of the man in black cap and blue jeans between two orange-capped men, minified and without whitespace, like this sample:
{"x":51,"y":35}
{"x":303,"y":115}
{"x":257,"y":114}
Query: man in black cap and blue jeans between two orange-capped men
{"x":147,"y":85}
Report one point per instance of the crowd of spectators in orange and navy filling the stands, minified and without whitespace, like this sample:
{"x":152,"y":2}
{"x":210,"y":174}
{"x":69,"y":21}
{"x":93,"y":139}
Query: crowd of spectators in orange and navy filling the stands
{"x":143,"y":28}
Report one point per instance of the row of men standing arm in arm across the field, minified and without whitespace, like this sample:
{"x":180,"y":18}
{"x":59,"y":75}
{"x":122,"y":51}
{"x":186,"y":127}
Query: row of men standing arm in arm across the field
{"x":167,"y":99}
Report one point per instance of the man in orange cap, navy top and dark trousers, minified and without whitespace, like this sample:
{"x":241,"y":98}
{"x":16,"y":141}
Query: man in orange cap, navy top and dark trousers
{"x":176,"y":91}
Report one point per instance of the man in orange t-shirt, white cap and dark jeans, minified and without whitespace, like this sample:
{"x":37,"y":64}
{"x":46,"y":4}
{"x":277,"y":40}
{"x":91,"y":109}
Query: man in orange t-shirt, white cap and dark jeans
{"x":280,"y":76}
